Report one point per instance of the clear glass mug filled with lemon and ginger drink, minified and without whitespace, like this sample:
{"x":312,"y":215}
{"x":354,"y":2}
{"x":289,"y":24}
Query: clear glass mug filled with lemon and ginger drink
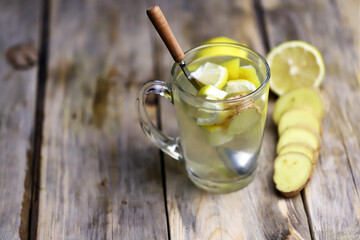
{"x":220,"y":140}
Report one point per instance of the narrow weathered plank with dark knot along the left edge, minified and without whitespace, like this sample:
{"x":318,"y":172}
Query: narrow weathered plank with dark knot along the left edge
{"x":19,"y":26}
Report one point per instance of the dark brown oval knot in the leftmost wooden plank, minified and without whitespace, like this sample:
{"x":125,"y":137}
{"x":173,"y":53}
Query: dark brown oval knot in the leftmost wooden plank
{"x":22,"y":56}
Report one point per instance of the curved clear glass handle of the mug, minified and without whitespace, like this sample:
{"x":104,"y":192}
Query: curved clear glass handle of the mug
{"x":167,"y":144}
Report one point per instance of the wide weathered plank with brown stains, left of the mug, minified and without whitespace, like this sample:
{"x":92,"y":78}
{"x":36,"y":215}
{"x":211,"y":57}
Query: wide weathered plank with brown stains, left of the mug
{"x":100,"y":178}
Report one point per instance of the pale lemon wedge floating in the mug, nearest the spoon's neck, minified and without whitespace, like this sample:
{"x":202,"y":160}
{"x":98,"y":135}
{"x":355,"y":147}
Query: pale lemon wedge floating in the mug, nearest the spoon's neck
{"x":211,"y":74}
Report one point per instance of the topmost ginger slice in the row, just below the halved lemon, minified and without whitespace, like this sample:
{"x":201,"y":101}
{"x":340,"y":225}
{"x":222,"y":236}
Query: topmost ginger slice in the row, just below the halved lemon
{"x":304,"y":96}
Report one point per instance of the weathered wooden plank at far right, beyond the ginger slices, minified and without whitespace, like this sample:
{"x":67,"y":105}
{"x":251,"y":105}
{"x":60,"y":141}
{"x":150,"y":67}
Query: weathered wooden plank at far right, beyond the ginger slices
{"x":332,"y":196}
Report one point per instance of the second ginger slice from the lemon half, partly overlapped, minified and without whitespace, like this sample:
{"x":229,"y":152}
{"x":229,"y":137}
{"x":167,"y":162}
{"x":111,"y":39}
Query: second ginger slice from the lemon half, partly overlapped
{"x":299,"y":116}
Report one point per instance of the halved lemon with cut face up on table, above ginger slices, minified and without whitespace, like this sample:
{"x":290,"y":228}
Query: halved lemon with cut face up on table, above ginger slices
{"x":295,"y":64}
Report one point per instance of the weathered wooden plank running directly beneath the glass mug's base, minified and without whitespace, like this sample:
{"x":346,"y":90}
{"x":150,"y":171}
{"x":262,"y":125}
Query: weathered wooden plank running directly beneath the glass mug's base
{"x":256,"y":212}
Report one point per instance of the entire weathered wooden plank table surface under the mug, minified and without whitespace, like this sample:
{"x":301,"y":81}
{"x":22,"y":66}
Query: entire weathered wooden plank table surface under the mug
{"x":74,"y":163}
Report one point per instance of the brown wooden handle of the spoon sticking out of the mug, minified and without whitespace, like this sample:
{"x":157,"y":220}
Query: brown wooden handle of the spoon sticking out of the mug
{"x":162,"y":27}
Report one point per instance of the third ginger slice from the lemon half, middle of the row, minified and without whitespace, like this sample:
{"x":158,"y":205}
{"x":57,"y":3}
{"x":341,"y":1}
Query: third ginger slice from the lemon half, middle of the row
{"x":299,"y":135}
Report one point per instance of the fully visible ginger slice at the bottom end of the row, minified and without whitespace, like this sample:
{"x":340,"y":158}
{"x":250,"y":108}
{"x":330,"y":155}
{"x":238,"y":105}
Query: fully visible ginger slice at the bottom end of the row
{"x":291,"y":173}
